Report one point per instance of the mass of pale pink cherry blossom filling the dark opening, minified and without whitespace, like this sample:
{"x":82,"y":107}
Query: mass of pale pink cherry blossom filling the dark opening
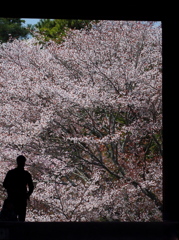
{"x":87,"y":114}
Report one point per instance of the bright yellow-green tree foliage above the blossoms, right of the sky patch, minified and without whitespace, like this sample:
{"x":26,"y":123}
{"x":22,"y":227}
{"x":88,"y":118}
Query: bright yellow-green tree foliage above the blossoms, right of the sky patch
{"x":56,"y":29}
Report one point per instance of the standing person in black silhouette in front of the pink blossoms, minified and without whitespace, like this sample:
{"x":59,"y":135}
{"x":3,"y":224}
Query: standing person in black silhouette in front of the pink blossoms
{"x":16,"y":182}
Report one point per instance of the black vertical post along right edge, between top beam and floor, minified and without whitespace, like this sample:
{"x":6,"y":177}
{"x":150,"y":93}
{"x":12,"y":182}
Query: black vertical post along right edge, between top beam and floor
{"x":170,"y":120}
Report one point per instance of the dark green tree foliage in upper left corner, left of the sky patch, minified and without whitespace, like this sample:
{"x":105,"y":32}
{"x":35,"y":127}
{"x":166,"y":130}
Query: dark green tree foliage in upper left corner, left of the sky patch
{"x":12,"y":28}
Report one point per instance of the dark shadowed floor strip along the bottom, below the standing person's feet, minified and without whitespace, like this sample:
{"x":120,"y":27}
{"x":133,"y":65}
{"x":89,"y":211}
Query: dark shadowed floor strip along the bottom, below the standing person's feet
{"x":89,"y":231}
